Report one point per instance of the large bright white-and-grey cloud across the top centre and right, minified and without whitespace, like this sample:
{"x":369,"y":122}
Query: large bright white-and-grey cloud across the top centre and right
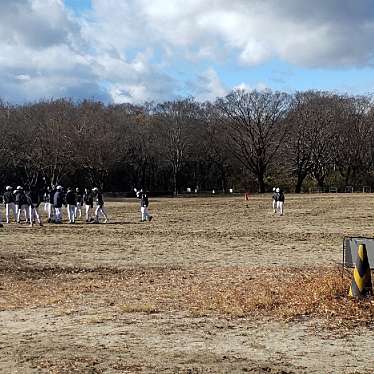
{"x":311,"y":34}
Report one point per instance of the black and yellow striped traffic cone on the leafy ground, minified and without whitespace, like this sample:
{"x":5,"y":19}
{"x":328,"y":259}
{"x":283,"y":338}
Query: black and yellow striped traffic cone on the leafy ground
{"x":361,"y":283}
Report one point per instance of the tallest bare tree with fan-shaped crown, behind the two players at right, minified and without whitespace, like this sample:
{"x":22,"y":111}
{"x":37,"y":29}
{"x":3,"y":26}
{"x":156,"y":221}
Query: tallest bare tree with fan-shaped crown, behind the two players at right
{"x":257,"y":128}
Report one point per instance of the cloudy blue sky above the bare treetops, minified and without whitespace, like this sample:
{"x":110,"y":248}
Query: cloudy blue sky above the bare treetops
{"x":135,"y":51}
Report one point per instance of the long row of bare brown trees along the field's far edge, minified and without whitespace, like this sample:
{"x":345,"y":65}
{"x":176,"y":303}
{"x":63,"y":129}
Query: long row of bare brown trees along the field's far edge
{"x":247,"y":140}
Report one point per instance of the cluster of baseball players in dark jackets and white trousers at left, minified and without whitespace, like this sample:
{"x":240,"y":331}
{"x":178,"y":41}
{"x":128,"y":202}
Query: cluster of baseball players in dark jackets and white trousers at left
{"x":19,"y":202}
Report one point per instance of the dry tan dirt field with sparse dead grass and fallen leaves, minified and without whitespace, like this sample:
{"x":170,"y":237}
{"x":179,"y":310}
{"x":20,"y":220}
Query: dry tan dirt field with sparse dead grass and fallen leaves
{"x":129,"y":297}
